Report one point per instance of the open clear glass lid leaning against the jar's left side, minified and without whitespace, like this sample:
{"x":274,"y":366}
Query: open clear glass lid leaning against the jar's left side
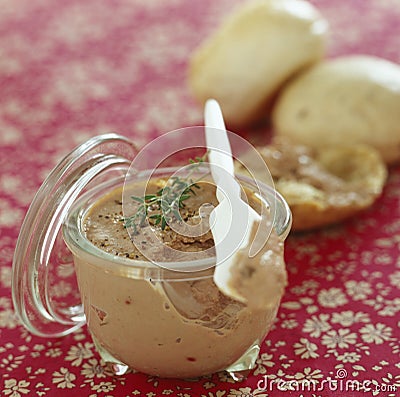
{"x":47,"y":308}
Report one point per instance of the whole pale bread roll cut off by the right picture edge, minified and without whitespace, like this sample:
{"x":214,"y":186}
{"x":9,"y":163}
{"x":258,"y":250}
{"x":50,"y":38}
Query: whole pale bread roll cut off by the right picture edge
{"x":348,"y":100}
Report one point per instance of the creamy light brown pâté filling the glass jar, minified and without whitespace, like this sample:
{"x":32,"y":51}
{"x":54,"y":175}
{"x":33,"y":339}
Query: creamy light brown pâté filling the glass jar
{"x":181,"y":326}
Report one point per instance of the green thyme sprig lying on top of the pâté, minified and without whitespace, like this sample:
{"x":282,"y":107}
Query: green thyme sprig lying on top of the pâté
{"x":164,"y":205}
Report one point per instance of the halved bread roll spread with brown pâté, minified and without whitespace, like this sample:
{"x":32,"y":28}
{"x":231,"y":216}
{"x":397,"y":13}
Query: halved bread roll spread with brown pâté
{"x":323,"y":186}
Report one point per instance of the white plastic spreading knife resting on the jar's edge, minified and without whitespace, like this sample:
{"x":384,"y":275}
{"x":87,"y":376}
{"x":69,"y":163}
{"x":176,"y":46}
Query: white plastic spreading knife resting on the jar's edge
{"x":232,"y":219}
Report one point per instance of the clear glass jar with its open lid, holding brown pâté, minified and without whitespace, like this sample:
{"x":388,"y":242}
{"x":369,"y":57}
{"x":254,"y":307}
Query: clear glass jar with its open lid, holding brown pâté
{"x":135,"y":310}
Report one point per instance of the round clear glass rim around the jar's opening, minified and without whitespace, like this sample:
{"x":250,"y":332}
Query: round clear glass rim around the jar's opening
{"x":81,"y":246}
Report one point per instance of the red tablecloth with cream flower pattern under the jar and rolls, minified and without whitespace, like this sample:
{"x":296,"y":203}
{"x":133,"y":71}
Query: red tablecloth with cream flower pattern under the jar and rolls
{"x":71,"y":70}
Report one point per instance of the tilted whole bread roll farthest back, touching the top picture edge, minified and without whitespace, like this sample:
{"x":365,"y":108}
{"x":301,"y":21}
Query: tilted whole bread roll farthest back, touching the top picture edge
{"x":257,"y":48}
